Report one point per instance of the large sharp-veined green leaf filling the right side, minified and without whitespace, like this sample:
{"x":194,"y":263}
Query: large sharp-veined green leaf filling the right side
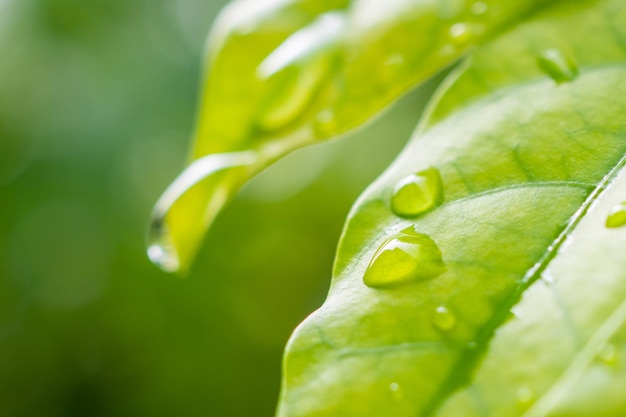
{"x":527,"y":315}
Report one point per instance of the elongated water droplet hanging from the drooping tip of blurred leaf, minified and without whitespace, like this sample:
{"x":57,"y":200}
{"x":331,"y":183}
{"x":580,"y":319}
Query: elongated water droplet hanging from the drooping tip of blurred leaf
{"x":186,"y":209}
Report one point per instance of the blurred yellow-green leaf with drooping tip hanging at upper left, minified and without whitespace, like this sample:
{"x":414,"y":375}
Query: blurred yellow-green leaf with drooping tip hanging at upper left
{"x":281,"y":74}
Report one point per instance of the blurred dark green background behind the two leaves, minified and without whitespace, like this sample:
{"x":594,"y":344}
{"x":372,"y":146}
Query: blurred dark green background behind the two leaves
{"x":96,"y":106}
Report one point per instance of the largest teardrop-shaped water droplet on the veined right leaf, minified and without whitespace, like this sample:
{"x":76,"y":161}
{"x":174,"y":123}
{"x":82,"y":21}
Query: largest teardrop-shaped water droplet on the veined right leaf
{"x":405,"y":257}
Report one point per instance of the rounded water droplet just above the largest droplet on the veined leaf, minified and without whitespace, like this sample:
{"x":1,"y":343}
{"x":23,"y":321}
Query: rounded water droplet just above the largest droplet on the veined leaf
{"x":418,"y":193}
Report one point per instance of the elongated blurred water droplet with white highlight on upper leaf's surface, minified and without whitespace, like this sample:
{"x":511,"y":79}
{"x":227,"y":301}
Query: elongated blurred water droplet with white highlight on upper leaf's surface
{"x":295,"y":69}
